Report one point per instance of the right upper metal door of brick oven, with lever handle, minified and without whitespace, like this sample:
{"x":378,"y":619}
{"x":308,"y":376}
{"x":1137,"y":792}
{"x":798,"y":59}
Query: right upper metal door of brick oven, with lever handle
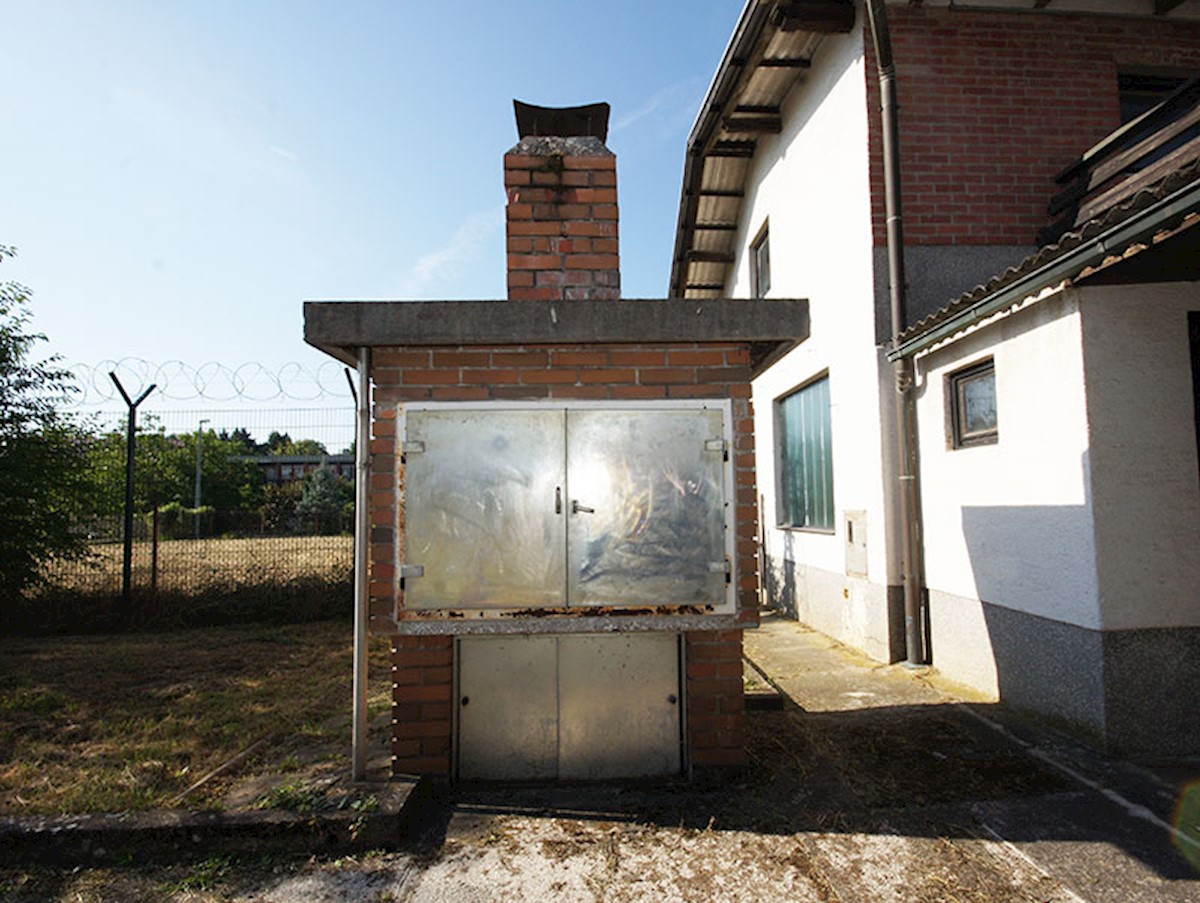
{"x":646,"y":509}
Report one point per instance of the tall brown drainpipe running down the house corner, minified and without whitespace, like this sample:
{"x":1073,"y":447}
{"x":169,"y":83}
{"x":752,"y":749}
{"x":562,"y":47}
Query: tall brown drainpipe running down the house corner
{"x":905,"y":423}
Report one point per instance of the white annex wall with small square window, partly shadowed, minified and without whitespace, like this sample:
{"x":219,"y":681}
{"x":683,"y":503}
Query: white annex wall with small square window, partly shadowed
{"x":1011,"y":524}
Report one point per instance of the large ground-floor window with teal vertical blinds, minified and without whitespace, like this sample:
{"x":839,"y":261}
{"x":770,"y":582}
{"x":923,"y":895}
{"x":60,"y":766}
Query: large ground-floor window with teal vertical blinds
{"x":806,"y":458}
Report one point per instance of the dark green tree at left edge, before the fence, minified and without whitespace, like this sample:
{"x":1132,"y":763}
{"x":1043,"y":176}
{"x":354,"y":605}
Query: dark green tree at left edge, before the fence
{"x":43,"y":453}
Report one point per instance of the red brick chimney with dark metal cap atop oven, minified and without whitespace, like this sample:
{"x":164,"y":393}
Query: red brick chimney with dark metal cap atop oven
{"x":562,"y":213}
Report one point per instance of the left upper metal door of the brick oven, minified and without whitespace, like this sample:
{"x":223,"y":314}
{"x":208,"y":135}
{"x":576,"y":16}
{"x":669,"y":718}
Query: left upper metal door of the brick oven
{"x":484,"y":521}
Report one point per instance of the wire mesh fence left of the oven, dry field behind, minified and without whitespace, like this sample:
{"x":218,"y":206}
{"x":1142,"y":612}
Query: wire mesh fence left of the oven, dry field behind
{"x":238,"y":516}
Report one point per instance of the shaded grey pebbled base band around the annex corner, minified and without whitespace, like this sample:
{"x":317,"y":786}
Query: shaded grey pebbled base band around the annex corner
{"x":1133,"y":691}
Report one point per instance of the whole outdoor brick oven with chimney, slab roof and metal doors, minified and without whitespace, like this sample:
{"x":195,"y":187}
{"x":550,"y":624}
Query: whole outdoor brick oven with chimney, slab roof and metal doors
{"x":563,"y":513}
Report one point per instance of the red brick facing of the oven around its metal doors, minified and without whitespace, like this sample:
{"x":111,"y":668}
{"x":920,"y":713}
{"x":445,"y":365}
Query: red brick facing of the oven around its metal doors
{"x":617,"y":373}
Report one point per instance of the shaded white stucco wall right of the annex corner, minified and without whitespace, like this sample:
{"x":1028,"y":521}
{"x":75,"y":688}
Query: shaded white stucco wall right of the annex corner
{"x":1145,"y":476}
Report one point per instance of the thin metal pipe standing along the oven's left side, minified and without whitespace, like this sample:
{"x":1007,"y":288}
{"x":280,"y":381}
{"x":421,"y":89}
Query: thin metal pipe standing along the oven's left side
{"x":362,"y":561}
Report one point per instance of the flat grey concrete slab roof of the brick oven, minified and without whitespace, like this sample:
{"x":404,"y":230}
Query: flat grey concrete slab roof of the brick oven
{"x":770,"y":326}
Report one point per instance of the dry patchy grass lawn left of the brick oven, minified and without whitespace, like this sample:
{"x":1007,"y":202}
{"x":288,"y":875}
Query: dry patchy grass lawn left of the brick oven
{"x":121,"y":722}
